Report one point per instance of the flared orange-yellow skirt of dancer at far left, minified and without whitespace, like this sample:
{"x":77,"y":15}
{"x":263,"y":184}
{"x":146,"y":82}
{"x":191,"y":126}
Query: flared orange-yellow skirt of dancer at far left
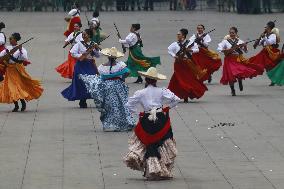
{"x":18,"y":84}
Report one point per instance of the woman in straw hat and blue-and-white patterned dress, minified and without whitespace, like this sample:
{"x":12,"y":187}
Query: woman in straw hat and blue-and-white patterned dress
{"x":110,"y":92}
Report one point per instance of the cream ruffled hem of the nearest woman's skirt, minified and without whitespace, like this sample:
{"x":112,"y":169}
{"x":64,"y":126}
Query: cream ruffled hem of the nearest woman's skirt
{"x":153,"y":168}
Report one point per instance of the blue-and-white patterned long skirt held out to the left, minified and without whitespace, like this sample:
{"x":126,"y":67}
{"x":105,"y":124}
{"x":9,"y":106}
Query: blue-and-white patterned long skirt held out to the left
{"x":110,"y":97}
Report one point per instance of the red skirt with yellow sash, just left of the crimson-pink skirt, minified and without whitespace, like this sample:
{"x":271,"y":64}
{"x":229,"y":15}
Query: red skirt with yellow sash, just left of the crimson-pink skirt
{"x":208,"y":60}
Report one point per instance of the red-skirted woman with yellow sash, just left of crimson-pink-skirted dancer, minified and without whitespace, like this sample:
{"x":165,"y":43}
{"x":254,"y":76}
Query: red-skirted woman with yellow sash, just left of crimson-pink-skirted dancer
{"x":205,"y":58}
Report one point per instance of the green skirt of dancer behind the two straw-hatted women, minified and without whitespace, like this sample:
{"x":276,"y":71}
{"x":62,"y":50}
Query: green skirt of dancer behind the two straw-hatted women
{"x":138,"y":62}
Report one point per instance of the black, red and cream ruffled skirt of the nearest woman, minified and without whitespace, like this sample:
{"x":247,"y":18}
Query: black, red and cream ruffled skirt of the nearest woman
{"x":155,"y":159}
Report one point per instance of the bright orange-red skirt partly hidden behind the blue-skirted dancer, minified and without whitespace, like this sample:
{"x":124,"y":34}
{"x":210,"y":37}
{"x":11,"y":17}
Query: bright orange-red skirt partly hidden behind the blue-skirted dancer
{"x":66,"y":69}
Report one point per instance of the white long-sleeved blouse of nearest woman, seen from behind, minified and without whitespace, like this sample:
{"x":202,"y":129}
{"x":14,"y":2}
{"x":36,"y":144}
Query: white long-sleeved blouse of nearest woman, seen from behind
{"x":152,"y":97}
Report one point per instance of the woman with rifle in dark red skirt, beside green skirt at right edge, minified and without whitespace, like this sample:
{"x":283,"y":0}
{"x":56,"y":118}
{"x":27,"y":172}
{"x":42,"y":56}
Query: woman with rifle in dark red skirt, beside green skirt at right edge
{"x":268,"y":57}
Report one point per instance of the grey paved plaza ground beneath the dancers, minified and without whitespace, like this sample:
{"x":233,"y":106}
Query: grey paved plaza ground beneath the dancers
{"x":56,"y":145}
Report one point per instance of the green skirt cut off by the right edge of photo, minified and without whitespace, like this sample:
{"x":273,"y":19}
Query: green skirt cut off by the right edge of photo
{"x":276,"y":75}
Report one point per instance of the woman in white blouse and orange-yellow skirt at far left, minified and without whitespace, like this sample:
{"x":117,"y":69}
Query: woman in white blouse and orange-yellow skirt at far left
{"x":17,"y":84}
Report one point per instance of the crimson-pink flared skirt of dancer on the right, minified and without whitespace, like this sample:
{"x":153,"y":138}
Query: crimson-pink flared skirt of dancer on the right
{"x":234,"y":68}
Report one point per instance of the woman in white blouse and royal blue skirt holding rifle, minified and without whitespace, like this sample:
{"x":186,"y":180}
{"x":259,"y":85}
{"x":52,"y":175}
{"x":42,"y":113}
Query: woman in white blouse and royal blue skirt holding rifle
{"x":84,"y":52}
